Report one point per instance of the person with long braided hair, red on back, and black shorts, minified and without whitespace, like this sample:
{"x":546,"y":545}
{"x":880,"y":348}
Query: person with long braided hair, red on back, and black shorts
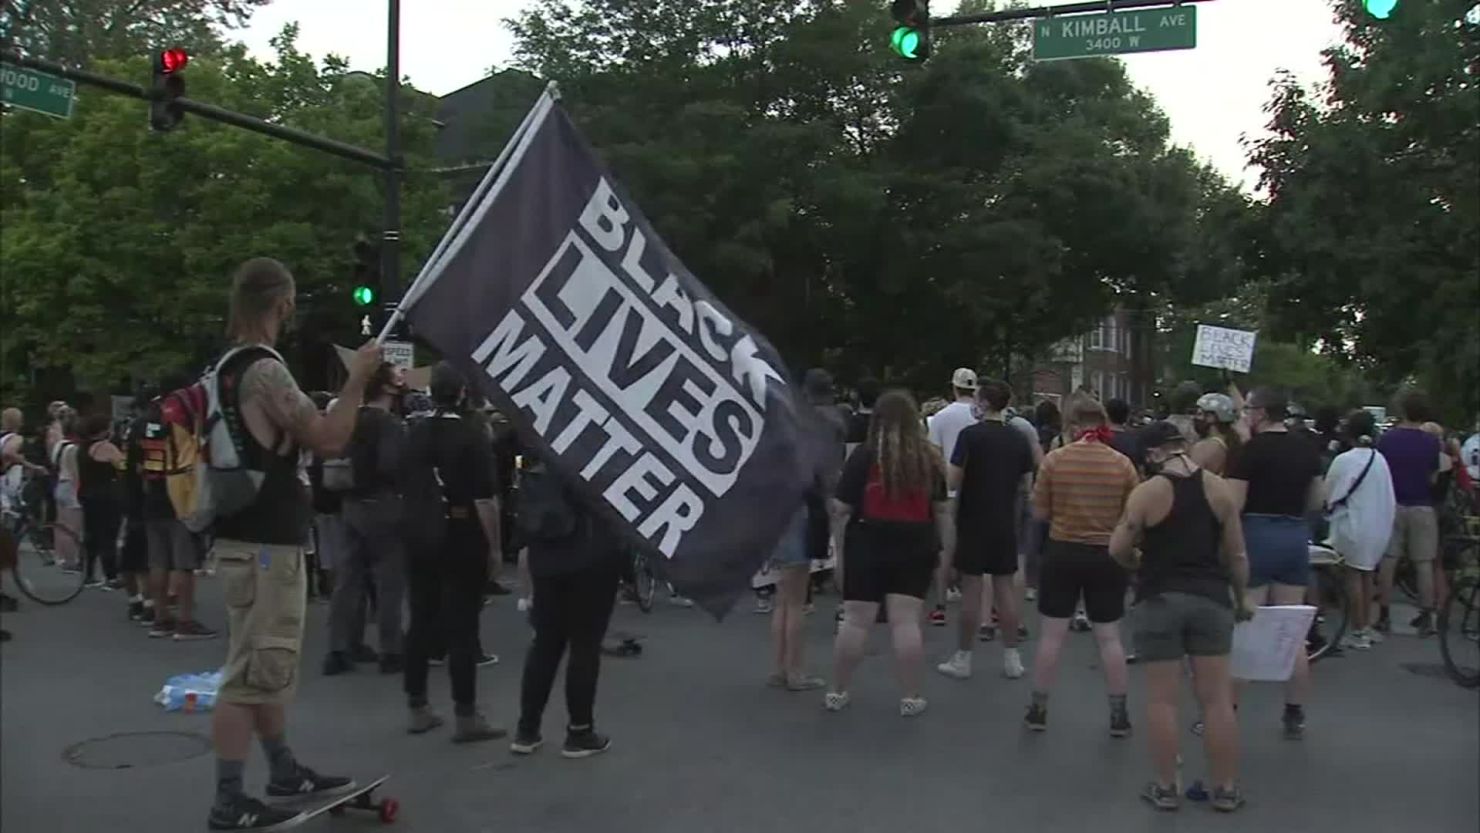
{"x":892,"y":502}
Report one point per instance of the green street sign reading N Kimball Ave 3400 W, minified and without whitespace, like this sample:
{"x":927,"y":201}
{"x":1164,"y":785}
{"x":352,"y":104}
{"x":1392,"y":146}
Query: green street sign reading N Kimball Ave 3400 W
{"x":1115,"y":33}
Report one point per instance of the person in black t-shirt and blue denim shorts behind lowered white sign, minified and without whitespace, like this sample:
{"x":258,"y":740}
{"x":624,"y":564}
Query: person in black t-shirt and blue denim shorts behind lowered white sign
{"x":1276,"y":482}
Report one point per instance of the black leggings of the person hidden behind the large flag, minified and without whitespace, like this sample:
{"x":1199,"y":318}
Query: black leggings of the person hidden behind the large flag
{"x":569,"y":612}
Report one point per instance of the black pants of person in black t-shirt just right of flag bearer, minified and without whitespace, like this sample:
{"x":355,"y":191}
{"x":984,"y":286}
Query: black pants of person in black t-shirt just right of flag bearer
{"x":446,"y":596}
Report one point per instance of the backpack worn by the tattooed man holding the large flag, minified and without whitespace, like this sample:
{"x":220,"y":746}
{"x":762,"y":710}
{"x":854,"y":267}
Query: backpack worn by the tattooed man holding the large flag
{"x":209,"y":459}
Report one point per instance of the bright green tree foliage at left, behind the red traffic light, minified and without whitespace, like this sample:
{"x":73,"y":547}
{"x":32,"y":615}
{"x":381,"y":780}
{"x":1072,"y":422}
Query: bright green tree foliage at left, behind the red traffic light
{"x":119,"y":243}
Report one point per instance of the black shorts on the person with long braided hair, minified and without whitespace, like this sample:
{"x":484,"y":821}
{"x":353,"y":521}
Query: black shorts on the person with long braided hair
{"x":887,"y":560}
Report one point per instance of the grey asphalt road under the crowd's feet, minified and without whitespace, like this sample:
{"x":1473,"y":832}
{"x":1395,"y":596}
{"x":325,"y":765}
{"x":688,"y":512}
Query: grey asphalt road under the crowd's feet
{"x":701,"y":745}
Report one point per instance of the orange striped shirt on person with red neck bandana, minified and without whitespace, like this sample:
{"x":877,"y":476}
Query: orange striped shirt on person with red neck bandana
{"x":1083,"y":489}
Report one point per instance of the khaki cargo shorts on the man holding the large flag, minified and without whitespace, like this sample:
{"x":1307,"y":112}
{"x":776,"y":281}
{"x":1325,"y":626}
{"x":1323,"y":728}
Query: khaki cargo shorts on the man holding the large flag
{"x":266,"y":597}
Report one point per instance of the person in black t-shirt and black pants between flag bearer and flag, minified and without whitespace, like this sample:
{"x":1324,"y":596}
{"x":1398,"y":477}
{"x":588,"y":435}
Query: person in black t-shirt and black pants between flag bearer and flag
{"x":452,"y":532}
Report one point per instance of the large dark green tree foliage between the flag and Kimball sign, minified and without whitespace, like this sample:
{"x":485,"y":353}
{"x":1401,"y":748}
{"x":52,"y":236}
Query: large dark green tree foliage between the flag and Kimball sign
{"x":878,"y":215}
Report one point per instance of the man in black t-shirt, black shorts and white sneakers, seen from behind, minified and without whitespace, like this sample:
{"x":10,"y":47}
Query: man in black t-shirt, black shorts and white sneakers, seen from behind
{"x":988,"y":471}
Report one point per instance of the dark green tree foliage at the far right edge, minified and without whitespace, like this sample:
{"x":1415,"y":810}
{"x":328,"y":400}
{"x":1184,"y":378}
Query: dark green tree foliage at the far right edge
{"x":1373,"y":226}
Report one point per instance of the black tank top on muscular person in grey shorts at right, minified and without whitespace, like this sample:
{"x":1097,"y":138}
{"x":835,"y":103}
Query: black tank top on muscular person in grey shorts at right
{"x":1180,"y":556}
